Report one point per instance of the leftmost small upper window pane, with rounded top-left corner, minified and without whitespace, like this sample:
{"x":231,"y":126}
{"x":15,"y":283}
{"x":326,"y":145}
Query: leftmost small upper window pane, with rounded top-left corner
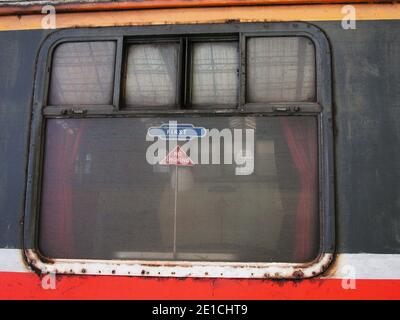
{"x":83,"y":73}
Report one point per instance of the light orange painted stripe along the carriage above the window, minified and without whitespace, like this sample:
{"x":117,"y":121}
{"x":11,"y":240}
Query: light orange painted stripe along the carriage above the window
{"x":203,"y":15}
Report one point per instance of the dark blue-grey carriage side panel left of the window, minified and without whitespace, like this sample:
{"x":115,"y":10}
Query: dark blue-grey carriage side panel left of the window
{"x":17,"y":66}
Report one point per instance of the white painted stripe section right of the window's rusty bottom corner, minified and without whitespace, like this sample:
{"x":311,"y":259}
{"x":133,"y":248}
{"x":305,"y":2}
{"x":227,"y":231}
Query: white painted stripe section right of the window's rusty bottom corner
{"x":367,"y":266}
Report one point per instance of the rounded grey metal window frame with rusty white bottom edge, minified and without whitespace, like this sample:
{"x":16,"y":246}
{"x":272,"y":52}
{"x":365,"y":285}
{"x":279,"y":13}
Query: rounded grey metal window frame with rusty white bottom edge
{"x":321,"y":109}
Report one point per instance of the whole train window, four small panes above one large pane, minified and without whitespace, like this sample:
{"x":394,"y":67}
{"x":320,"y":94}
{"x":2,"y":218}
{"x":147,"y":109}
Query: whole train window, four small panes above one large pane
{"x":184,"y":169}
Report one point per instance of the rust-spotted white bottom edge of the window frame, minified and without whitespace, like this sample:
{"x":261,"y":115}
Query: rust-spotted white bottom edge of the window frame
{"x":180,"y":269}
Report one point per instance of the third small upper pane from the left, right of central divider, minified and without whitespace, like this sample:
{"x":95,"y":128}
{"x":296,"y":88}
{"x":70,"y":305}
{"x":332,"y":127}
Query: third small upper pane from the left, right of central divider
{"x":215,"y":73}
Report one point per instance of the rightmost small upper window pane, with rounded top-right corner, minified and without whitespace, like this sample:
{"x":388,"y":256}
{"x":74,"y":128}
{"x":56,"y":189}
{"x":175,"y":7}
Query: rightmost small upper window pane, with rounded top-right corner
{"x":280,"y":69}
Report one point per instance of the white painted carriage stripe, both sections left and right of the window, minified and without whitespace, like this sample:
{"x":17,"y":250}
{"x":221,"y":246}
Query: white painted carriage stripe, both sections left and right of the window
{"x":358,"y":265}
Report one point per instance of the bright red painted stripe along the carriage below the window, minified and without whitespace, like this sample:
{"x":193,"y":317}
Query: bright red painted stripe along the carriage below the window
{"x":28,"y":286}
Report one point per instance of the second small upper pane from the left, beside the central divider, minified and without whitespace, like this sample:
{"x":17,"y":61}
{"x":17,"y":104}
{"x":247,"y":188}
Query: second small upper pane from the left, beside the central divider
{"x":151,"y":78}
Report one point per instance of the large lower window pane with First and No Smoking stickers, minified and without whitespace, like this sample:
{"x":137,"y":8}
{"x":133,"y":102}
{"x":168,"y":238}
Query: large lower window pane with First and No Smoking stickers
{"x":102,"y":199}
